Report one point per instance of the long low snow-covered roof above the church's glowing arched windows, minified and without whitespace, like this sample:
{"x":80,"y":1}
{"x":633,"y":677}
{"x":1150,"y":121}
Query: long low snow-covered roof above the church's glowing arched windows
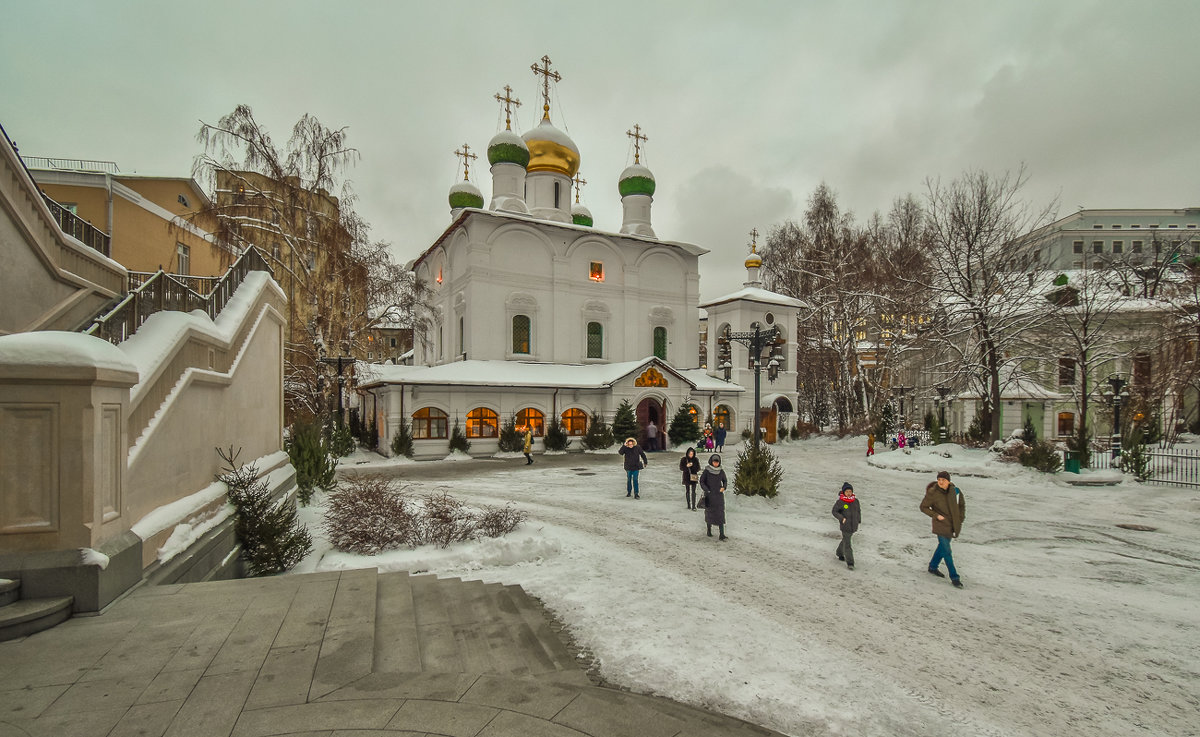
{"x":529,"y":374}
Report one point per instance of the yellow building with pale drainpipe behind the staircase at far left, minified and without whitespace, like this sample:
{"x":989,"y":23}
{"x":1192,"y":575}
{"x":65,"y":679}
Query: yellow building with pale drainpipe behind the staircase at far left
{"x":155,"y":223}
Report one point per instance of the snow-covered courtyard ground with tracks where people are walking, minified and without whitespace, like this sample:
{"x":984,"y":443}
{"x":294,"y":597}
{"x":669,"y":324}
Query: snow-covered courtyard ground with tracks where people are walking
{"x":1067,"y":626}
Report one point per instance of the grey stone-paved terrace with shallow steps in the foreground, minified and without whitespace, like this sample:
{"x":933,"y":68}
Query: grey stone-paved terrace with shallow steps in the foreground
{"x":332,"y":655}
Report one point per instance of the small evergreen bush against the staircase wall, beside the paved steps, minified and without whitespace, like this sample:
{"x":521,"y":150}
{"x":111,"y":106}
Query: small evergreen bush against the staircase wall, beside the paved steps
{"x":271,"y":534}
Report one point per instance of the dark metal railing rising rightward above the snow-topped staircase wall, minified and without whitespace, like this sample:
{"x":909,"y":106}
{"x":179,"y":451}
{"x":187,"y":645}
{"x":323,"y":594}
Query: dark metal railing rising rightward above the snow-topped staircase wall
{"x":161,"y":291}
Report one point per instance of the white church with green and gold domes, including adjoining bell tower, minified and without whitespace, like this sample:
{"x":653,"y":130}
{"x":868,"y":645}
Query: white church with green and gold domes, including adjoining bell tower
{"x":539,"y":314}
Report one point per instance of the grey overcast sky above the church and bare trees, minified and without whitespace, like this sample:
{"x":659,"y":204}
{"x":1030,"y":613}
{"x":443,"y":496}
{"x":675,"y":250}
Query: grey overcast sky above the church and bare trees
{"x":748,"y":106}
